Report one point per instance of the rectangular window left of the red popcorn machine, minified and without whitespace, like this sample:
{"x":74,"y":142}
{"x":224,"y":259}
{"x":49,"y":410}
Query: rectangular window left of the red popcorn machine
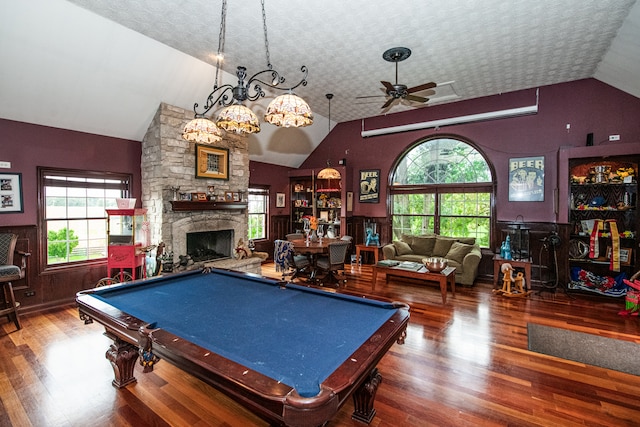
{"x":73,"y":213}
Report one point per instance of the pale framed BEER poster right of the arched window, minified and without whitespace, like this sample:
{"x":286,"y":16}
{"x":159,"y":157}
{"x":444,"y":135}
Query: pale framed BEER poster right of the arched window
{"x":526,"y":179}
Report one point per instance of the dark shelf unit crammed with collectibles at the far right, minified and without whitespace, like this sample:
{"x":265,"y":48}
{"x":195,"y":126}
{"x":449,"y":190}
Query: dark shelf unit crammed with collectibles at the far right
{"x":603,"y":202}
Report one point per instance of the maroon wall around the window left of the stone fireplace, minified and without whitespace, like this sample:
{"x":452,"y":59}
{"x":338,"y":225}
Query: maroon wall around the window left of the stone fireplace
{"x":28,"y":146}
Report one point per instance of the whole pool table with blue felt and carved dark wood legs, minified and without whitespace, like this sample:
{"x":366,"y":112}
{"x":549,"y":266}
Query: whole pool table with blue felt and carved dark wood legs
{"x":292,"y":354}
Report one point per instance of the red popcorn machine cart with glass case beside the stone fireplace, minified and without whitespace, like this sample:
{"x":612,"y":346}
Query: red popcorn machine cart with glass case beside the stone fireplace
{"x":128,"y":240}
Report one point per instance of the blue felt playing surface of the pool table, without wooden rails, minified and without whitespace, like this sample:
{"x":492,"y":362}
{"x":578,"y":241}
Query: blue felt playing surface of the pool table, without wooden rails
{"x":295,"y":334}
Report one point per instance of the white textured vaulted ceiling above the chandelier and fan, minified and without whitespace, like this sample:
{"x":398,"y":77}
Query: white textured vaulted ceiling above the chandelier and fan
{"x":103,"y":66}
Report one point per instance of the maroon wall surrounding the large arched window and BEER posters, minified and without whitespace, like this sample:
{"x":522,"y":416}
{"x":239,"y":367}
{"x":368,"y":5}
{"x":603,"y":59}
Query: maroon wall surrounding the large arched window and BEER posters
{"x":589,"y":106}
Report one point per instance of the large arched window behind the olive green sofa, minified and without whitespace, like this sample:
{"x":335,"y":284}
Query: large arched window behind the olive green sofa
{"x":442,"y":185}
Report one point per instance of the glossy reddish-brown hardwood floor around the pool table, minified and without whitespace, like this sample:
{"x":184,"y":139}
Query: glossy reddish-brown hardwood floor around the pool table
{"x":465,"y":363}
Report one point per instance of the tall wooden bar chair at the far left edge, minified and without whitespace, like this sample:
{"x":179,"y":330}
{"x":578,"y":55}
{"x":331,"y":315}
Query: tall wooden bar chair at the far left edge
{"x":10,"y":272}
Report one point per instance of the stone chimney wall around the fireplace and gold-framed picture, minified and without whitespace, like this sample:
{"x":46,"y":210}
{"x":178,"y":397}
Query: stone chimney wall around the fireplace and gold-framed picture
{"x":168,"y":161}
